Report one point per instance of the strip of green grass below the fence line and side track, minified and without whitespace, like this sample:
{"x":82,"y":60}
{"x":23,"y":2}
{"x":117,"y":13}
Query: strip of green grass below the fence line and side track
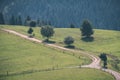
{"x":65,"y":74}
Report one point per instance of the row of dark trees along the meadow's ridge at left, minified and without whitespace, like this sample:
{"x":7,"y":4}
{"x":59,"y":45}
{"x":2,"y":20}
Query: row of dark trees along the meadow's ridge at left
{"x":18,"y":20}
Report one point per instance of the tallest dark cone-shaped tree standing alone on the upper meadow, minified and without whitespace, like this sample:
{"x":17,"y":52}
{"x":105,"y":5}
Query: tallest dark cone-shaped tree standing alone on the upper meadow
{"x":86,"y":29}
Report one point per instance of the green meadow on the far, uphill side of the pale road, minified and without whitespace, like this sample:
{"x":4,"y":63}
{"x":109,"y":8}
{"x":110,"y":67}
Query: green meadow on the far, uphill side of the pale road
{"x":104,"y":41}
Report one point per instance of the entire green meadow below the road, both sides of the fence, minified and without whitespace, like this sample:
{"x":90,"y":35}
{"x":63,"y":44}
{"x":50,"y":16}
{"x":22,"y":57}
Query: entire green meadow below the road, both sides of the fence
{"x":21,"y":59}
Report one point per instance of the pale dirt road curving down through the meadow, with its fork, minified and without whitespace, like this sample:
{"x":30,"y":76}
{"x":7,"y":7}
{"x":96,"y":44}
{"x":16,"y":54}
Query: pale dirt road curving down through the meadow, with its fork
{"x":95,"y":60}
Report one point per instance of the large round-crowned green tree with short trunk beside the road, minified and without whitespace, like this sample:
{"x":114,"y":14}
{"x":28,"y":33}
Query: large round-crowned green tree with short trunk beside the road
{"x":47,"y":31}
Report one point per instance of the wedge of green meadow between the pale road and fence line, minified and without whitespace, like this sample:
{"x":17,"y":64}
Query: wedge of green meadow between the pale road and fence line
{"x":18,"y":55}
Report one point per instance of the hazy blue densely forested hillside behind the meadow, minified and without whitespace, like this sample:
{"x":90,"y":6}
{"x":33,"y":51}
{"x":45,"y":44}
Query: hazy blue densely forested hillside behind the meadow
{"x":104,"y":14}
